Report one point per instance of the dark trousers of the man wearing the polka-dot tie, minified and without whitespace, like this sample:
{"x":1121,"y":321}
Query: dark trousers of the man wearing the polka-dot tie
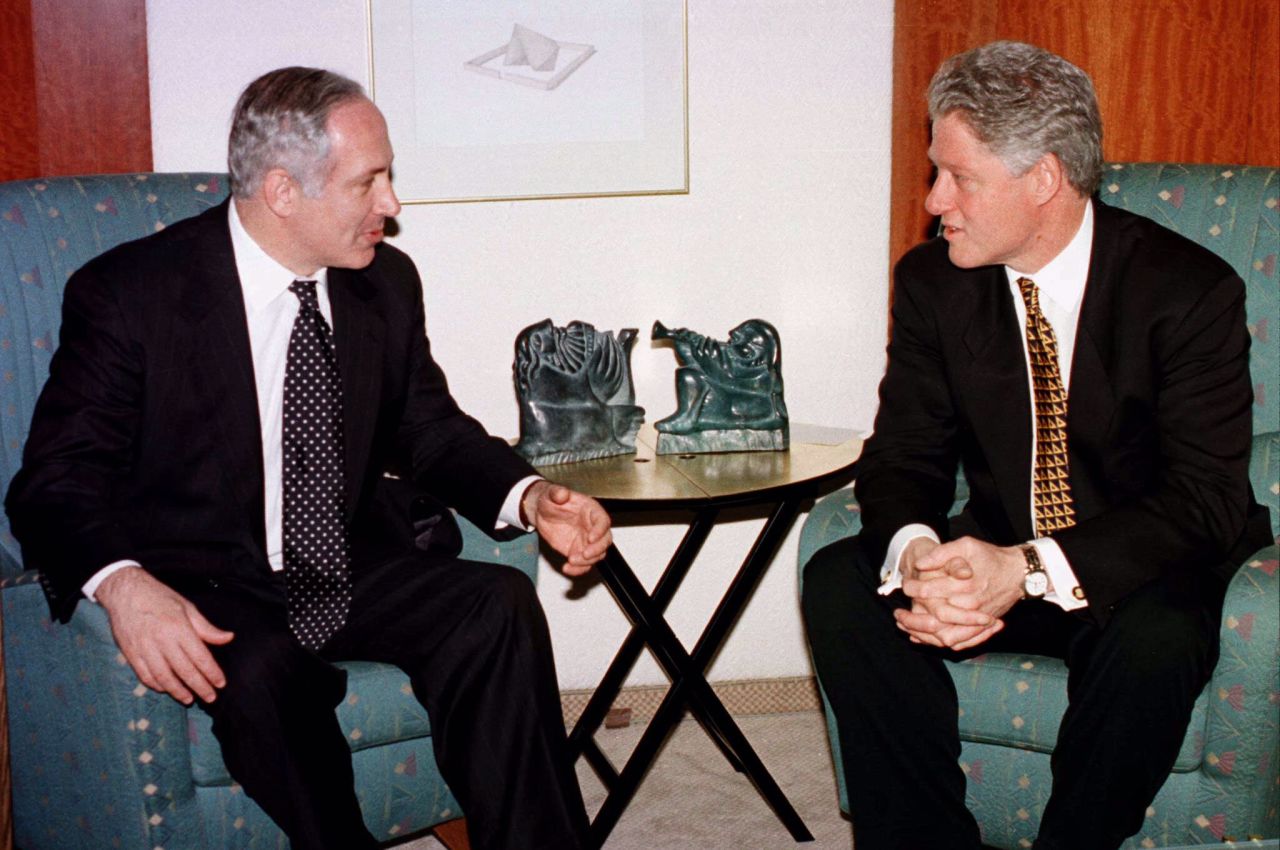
{"x":474,"y":643}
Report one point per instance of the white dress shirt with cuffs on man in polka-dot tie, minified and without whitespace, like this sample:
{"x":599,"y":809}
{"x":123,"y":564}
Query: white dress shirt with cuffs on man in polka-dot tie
{"x":271,"y":310}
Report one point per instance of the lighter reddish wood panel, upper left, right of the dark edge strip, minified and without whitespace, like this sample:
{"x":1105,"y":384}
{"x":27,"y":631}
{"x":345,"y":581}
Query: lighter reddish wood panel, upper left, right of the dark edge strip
{"x":92,"y":86}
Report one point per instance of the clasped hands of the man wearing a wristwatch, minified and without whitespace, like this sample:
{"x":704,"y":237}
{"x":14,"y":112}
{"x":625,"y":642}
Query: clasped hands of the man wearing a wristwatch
{"x":959,"y":591}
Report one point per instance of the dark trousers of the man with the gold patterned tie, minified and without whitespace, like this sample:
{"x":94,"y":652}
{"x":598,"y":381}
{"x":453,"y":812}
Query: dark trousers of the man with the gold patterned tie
{"x":1131,"y":689}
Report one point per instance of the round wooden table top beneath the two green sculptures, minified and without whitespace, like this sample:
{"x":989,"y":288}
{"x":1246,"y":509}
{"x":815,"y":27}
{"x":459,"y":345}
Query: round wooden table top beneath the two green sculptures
{"x":648,"y":479}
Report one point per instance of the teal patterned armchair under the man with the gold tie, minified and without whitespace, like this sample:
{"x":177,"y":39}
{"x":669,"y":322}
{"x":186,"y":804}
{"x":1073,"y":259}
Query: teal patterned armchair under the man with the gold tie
{"x":1226,"y":785}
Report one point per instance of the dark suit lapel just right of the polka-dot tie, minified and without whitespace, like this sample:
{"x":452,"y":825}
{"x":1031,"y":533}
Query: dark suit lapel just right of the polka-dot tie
{"x":358,"y":333}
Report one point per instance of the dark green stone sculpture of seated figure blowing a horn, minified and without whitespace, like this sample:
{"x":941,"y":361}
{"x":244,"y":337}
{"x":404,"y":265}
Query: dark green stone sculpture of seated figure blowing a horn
{"x":729,"y":394}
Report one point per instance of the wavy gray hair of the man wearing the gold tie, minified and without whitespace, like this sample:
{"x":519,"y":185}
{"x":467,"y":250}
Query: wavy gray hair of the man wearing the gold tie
{"x":1023,"y":102}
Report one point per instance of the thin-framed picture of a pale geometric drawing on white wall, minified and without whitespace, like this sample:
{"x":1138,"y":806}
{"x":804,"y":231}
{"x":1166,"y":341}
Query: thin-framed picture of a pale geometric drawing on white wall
{"x":492,"y":100}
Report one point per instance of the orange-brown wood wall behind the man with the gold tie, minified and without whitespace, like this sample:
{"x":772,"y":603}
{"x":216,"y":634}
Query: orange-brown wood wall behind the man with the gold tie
{"x":1190,"y":81}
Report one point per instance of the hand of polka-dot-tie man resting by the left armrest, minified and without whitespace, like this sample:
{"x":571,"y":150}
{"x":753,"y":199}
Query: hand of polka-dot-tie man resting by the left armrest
{"x":163,"y":636}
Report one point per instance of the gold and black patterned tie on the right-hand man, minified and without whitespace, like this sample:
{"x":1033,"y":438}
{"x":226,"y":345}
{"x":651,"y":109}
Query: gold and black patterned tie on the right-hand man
{"x":1054,"y":506}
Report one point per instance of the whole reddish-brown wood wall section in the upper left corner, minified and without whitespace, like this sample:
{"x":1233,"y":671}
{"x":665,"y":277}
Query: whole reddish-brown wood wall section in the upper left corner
{"x":74,"y":88}
